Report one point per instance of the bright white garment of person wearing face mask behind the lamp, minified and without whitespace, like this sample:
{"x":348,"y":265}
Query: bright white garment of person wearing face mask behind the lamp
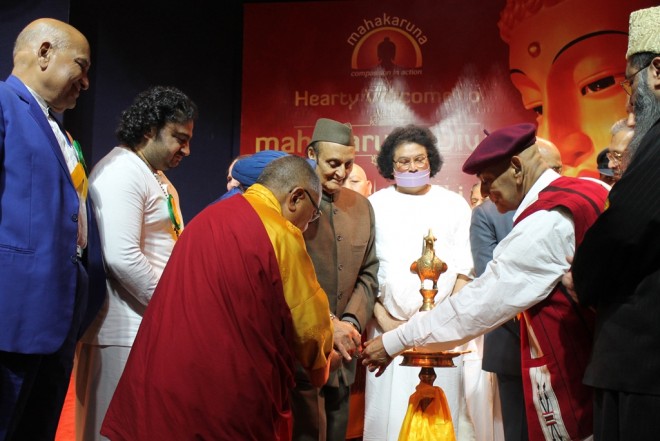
{"x":402,"y":221}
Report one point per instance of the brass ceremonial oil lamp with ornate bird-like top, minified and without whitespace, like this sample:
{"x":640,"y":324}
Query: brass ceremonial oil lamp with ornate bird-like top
{"x":428,"y":267}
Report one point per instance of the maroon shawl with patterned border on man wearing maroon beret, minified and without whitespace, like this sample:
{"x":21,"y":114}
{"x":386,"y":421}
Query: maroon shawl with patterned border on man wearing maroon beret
{"x":558,"y":404}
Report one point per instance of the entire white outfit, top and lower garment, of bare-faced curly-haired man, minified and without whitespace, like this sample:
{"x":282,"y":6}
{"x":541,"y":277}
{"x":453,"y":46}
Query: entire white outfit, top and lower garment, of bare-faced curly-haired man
{"x":137,"y":239}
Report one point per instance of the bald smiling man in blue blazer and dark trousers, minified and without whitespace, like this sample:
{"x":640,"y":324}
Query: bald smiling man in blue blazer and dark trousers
{"x":51,"y":274}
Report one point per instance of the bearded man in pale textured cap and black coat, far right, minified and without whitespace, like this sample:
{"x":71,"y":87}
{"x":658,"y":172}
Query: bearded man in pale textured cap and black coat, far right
{"x":617,"y":267}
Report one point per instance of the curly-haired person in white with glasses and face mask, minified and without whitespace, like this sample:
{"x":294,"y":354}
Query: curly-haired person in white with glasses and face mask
{"x":405,"y":211}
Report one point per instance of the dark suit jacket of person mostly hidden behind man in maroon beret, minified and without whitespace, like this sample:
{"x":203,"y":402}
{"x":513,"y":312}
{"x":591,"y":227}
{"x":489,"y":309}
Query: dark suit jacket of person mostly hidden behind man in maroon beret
{"x":502,"y":345}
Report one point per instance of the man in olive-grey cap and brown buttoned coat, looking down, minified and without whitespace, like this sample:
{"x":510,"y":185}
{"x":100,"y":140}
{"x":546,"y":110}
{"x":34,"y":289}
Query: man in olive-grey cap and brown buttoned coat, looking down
{"x":341,"y":244}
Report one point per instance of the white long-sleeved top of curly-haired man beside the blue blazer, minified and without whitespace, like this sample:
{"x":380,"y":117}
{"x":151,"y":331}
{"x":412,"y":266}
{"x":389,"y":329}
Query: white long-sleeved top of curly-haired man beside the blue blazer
{"x":137,"y":239}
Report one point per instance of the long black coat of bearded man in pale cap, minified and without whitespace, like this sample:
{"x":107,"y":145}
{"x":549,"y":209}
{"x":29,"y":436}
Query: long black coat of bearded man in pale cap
{"x":617,"y":270}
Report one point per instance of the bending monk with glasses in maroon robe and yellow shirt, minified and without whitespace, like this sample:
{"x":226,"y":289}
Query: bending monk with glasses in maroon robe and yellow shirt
{"x":237,"y":304}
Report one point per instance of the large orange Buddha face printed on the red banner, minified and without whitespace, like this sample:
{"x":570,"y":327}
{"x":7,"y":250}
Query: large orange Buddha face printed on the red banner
{"x":567,"y":58}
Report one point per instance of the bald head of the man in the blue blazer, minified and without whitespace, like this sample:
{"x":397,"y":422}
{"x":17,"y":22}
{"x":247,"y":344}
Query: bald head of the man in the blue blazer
{"x":52,"y":58}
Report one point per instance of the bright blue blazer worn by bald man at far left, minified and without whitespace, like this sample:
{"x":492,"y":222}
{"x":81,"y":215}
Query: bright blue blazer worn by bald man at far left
{"x":38,"y":232}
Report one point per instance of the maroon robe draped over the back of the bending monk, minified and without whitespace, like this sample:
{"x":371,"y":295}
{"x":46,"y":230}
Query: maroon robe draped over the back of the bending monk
{"x":213,"y":358}
